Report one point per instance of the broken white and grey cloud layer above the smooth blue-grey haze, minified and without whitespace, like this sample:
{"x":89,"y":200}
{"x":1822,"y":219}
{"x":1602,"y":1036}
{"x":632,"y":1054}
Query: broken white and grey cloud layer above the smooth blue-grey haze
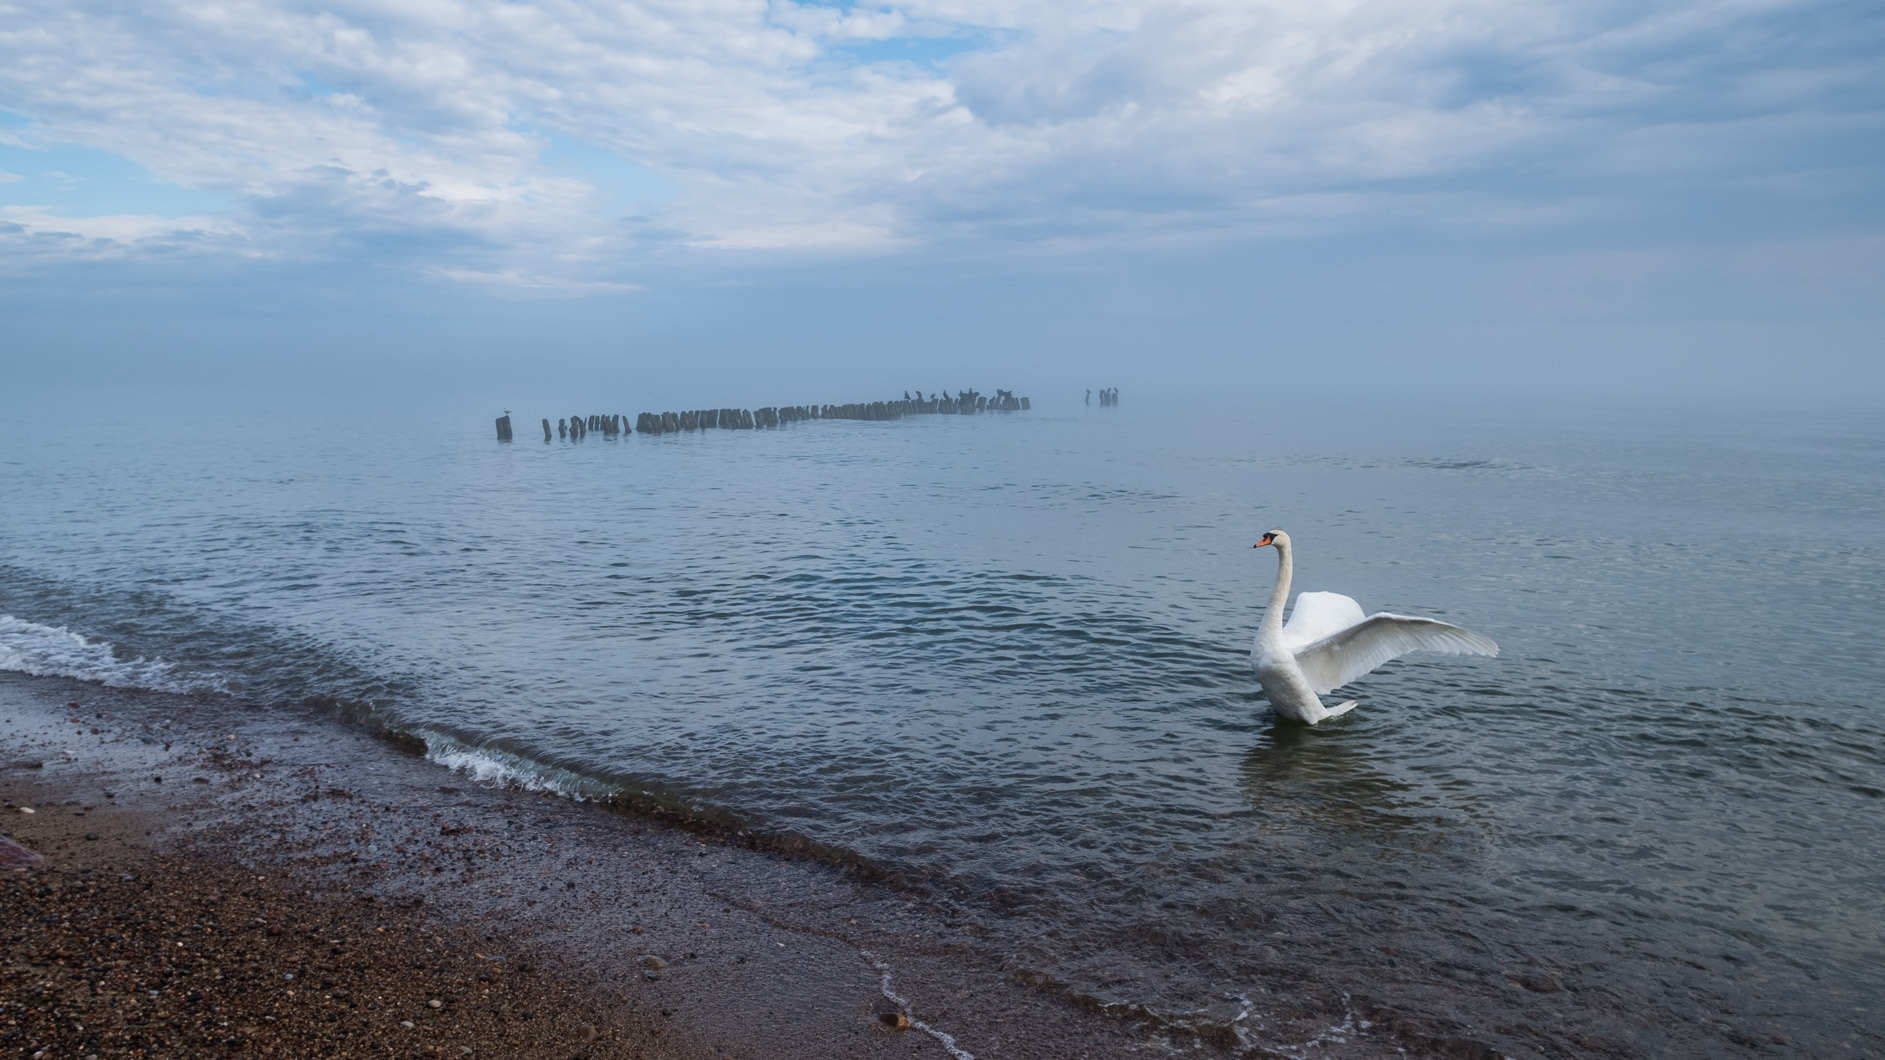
{"x":1066,"y":125}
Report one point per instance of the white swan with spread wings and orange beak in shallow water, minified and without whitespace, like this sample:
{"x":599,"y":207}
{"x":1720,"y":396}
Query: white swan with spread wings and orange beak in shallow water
{"x":1330,"y":642}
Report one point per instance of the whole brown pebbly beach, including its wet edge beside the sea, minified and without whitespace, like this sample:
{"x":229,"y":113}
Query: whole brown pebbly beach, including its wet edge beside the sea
{"x":293,"y":884}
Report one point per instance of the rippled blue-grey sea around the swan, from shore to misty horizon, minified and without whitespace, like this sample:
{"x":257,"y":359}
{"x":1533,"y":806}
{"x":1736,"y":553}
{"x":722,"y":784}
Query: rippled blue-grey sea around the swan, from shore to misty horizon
{"x":1006,"y":659}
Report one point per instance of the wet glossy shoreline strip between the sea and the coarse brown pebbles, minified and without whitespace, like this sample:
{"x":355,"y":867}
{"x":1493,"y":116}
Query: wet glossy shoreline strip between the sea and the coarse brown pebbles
{"x":753,"y":953}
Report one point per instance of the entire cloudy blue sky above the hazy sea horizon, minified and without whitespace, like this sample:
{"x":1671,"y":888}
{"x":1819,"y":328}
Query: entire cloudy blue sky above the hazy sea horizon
{"x":729,"y":201}
